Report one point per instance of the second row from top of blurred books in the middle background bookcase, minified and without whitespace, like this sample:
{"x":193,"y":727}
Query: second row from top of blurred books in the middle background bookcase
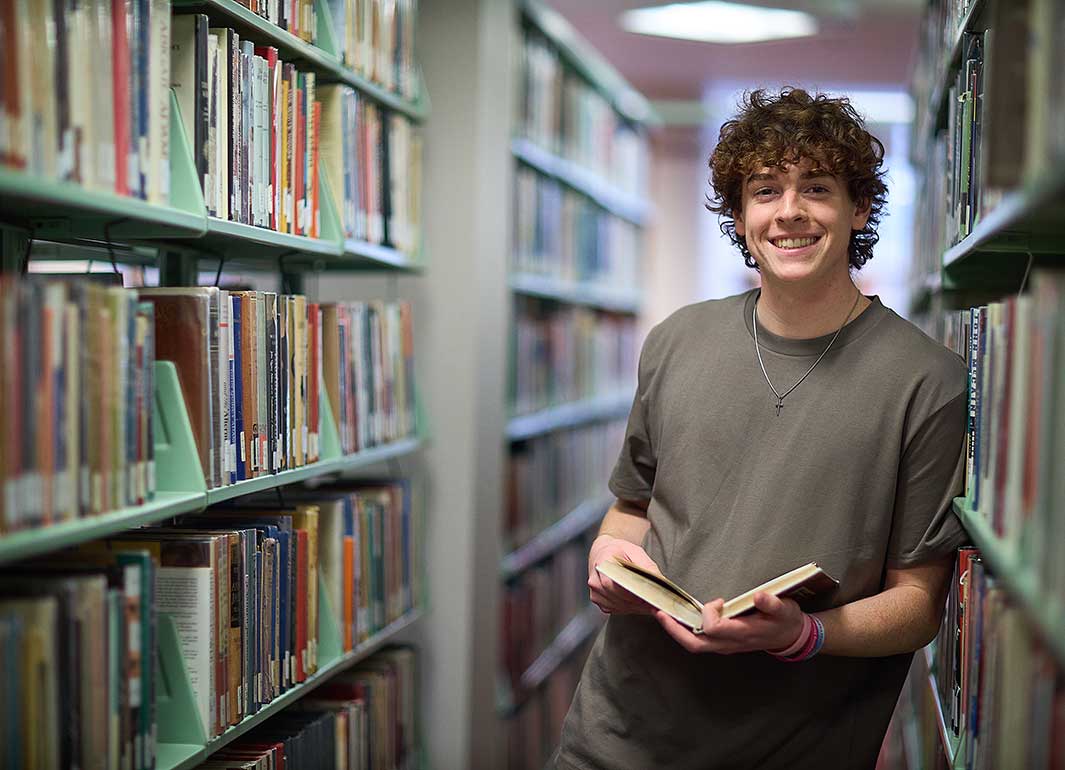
{"x":561,"y":234}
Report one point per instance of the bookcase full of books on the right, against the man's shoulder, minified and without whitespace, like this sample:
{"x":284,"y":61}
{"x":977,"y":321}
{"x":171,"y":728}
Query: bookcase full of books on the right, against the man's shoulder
{"x":987,"y":284}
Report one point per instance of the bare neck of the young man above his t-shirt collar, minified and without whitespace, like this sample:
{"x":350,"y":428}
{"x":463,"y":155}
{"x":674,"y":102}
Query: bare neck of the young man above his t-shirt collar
{"x":802,"y":314}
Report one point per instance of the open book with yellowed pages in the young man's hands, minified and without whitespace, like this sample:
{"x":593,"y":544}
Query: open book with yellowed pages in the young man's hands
{"x":665,"y":595}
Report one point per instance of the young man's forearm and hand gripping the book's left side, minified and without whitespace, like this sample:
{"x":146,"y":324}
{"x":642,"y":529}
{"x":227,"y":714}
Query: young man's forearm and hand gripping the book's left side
{"x":621,"y":533}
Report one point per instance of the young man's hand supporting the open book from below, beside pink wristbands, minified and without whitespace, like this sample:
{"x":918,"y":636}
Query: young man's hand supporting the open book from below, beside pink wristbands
{"x":776,"y":626}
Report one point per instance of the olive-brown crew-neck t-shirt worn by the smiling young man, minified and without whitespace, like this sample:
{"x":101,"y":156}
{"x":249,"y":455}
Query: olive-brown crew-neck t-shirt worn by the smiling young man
{"x":857,"y":473}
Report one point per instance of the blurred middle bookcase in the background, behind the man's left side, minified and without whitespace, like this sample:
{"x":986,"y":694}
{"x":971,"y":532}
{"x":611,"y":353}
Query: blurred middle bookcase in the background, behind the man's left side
{"x":556,"y":275}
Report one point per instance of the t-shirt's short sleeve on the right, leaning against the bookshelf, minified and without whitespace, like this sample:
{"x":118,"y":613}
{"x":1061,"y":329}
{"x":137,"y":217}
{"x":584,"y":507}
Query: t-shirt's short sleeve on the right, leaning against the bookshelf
{"x":932,"y":473}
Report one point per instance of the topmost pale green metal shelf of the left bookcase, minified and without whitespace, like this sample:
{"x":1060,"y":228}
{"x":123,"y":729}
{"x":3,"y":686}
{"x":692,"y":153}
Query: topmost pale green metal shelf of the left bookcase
{"x":321,"y":59}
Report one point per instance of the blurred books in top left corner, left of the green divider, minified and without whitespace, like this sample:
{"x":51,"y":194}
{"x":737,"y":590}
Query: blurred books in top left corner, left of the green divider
{"x":86,"y":94}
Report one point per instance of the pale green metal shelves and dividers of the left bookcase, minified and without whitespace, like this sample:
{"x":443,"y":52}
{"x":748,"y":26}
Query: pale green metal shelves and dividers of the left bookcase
{"x":182,"y":238}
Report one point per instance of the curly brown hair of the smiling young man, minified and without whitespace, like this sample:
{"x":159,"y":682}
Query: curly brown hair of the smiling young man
{"x":782,"y":129}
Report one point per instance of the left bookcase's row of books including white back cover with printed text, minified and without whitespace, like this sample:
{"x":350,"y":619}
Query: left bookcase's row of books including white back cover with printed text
{"x":241,"y":585}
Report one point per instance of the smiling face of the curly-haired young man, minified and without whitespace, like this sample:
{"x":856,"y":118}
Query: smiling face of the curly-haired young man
{"x":798,"y":223}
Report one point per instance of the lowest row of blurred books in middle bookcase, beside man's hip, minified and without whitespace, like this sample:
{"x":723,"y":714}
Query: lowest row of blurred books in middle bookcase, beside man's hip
{"x":534,"y":732}
